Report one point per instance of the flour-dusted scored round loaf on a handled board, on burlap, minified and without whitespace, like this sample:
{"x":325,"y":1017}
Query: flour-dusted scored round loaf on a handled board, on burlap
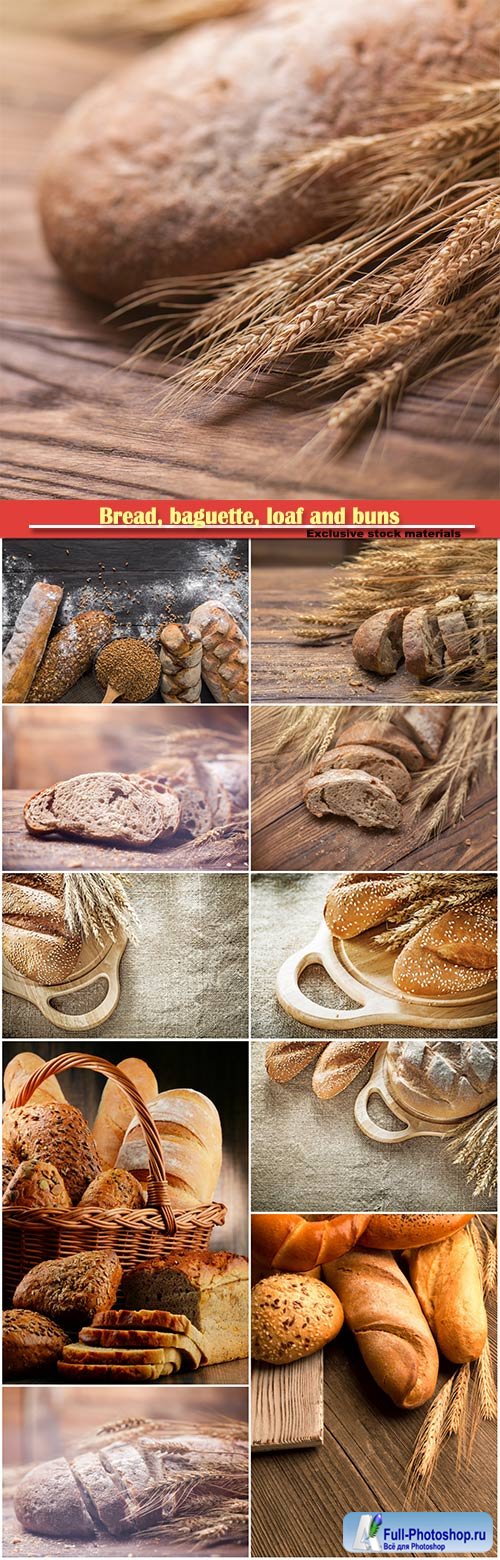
{"x":443,"y":1080}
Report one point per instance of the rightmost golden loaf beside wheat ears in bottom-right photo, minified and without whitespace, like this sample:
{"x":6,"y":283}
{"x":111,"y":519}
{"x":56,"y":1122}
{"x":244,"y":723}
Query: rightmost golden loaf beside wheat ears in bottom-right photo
{"x":448,"y":1283}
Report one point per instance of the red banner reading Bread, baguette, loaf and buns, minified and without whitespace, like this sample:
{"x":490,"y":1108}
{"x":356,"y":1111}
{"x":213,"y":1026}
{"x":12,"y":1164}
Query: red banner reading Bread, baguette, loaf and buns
{"x":334,"y":519}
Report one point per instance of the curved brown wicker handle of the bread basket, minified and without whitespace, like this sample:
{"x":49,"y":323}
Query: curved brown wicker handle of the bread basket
{"x":158,"y":1186}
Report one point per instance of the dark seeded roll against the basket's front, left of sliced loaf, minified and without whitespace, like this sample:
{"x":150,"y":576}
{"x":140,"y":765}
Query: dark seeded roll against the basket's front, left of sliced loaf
{"x":71,"y":1289}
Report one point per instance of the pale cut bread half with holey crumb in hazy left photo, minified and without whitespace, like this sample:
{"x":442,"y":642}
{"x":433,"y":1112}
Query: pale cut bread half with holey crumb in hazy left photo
{"x":99,"y":807}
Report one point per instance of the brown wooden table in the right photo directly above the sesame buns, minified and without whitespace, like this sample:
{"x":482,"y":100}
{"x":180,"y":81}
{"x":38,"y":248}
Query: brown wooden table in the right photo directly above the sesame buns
{"x":287,"y":838}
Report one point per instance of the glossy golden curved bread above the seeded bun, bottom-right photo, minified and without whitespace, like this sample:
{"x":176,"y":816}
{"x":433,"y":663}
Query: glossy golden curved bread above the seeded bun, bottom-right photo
{"x":295,"y":1246}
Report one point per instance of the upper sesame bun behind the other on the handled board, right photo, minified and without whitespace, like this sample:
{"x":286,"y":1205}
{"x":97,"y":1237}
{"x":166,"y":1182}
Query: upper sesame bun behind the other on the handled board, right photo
{"x":364,"y":902}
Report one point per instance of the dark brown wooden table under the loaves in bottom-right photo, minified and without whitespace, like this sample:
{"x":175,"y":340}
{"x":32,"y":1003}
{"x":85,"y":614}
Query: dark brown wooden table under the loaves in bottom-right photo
{"x":301,"y":1498}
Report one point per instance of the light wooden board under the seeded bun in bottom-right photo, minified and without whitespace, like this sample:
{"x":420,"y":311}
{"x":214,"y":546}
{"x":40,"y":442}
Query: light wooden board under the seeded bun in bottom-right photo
{"x":287,"y":1406}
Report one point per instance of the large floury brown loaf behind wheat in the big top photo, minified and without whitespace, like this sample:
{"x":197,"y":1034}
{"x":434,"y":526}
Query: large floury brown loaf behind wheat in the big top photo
{"x":138,"y":188}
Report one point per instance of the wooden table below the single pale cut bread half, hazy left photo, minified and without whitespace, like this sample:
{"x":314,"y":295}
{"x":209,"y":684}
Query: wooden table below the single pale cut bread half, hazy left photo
{"x":44,"y":854}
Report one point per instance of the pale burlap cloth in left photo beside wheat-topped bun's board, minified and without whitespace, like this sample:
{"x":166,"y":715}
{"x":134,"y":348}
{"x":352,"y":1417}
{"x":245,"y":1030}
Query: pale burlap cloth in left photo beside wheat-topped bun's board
{"x":188,"y":976}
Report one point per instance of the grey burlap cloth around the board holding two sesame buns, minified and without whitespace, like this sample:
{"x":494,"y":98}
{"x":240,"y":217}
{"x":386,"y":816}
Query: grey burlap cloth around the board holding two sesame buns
{"x":286,"y":915}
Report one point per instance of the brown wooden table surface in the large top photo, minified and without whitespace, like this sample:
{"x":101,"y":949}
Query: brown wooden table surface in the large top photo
{"x":76,"y":425}
